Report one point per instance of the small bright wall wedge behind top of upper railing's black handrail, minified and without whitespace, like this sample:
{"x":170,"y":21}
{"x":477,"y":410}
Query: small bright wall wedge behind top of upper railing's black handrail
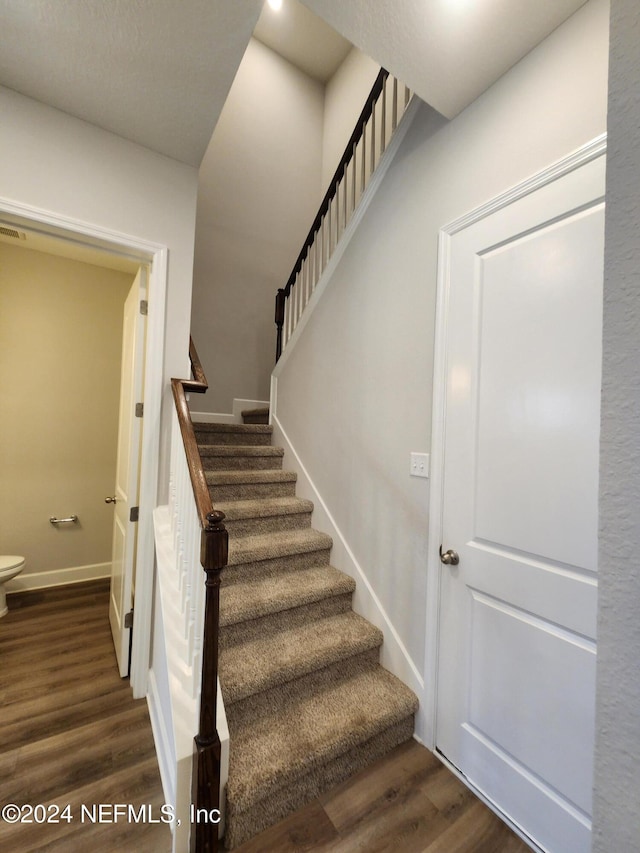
{"x":344,"y":97}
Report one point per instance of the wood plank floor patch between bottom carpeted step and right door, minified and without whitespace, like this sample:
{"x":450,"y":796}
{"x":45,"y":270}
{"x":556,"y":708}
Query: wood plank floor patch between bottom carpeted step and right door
{"x":406,"y":803}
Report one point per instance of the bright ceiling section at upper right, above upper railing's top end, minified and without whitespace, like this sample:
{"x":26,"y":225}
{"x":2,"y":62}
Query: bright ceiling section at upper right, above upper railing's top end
{"x":447,"y":51}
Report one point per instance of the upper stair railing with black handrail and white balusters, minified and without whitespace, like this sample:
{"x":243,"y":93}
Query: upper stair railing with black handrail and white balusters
{"x":385,"y":106}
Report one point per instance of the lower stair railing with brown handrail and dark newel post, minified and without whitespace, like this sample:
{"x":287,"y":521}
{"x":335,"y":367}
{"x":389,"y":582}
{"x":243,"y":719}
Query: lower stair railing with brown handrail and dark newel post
{"x":213,"y":558}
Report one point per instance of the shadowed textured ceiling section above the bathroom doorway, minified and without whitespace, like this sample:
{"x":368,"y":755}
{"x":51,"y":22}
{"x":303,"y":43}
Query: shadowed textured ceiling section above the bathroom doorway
{"x":154,"y":71}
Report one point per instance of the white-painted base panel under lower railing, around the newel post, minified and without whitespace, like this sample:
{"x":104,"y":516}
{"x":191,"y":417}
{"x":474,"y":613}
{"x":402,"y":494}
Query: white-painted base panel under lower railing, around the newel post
{"x":175,"y":724}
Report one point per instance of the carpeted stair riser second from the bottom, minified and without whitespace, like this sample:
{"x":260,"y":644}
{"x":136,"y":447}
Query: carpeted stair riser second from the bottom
{"x":298,"y":685}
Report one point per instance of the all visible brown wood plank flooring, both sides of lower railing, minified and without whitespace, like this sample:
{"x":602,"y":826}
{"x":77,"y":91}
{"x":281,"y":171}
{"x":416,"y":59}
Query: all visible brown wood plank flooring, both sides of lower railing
{"x":70,"y":733}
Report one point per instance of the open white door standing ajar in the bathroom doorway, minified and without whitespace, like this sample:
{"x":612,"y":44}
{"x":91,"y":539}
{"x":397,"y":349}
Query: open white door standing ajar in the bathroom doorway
{"x":127,"y":473}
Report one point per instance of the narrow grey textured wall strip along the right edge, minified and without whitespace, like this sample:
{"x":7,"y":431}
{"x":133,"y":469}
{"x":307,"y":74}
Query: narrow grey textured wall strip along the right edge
{"x":617,"y":765}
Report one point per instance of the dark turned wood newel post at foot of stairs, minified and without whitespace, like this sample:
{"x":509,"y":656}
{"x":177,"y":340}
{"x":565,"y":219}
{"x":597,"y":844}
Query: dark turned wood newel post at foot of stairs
{"x":214,"y":551}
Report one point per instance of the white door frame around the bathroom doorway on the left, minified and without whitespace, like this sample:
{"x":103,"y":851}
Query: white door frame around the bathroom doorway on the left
{"x":155,"y":257}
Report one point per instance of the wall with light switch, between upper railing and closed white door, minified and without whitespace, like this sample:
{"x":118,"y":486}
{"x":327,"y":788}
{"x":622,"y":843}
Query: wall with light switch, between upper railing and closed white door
{"x":354,"y":397}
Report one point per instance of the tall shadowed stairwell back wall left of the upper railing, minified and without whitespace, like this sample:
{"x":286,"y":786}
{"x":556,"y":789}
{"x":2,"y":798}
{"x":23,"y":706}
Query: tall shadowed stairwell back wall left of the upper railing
{"x":259,"y":190}
